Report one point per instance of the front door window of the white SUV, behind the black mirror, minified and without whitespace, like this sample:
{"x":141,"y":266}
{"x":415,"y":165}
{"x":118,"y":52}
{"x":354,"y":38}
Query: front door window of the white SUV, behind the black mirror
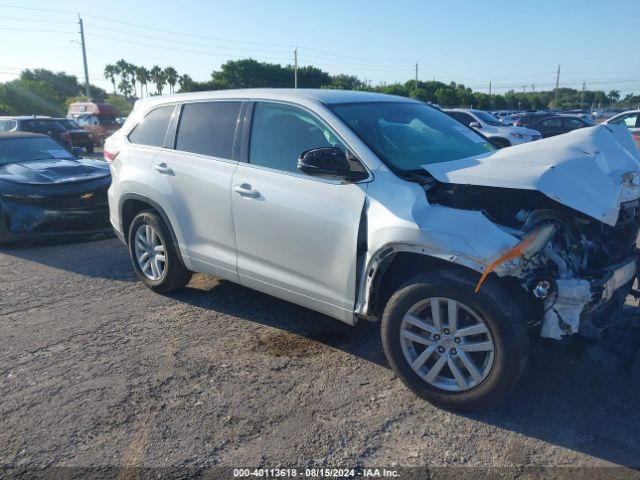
{"x":280,"y":133}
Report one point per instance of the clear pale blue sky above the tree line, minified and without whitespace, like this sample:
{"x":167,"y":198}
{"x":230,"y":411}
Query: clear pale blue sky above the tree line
{"x":511,"y":44}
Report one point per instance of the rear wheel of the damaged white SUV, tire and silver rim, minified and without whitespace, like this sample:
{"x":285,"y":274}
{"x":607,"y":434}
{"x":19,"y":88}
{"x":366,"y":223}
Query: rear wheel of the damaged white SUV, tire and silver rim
{"x":164,"y":275}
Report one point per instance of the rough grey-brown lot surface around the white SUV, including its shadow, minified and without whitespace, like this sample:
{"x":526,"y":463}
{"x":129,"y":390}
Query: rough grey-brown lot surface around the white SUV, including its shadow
{"x":96,"y":370}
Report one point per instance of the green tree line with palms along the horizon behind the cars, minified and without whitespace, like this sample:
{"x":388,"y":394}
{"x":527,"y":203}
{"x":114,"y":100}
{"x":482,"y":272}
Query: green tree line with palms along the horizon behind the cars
{"x":44,"y":92}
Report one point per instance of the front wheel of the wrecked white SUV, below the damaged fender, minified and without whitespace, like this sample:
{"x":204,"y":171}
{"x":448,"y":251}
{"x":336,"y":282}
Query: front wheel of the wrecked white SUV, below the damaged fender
{"x":497,"y":368}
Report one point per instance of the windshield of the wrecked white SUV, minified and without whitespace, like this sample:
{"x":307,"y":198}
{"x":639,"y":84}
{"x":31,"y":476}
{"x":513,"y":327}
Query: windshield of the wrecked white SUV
{"x":407,"y":135}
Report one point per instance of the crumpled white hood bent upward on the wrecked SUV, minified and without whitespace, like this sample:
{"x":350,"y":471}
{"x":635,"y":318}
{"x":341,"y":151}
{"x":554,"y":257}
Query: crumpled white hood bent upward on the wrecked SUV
{"x":590,"y":170}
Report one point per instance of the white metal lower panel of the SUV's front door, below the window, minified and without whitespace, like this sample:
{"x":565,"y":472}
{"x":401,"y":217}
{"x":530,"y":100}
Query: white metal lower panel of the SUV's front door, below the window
{"x":313,"y":264}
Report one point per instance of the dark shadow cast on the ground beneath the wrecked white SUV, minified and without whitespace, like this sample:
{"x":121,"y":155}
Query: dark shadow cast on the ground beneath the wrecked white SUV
{"x":563,"y":398}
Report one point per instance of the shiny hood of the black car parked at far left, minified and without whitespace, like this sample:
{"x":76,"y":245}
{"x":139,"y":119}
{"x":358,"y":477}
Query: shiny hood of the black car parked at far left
{"x":54,"y":171}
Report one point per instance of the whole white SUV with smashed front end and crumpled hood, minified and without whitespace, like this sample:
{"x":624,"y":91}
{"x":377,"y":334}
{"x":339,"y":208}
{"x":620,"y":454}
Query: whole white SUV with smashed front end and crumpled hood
{"x":368,"y":206}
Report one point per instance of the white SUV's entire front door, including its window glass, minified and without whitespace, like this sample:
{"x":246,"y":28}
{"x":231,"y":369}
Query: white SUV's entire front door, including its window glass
{"x":296,"y":235}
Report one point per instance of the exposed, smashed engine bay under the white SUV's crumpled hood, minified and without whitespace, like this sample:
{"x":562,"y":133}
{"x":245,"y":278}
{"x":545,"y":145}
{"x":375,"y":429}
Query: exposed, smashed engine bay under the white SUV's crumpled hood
{"x":577,"y":268}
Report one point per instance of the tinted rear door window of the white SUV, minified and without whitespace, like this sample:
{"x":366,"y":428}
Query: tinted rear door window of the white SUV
{"x":208,"y":128}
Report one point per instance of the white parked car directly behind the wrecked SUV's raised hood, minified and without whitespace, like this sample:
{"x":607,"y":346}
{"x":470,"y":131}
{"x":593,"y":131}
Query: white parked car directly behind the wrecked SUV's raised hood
{"x":501,"y":134}
